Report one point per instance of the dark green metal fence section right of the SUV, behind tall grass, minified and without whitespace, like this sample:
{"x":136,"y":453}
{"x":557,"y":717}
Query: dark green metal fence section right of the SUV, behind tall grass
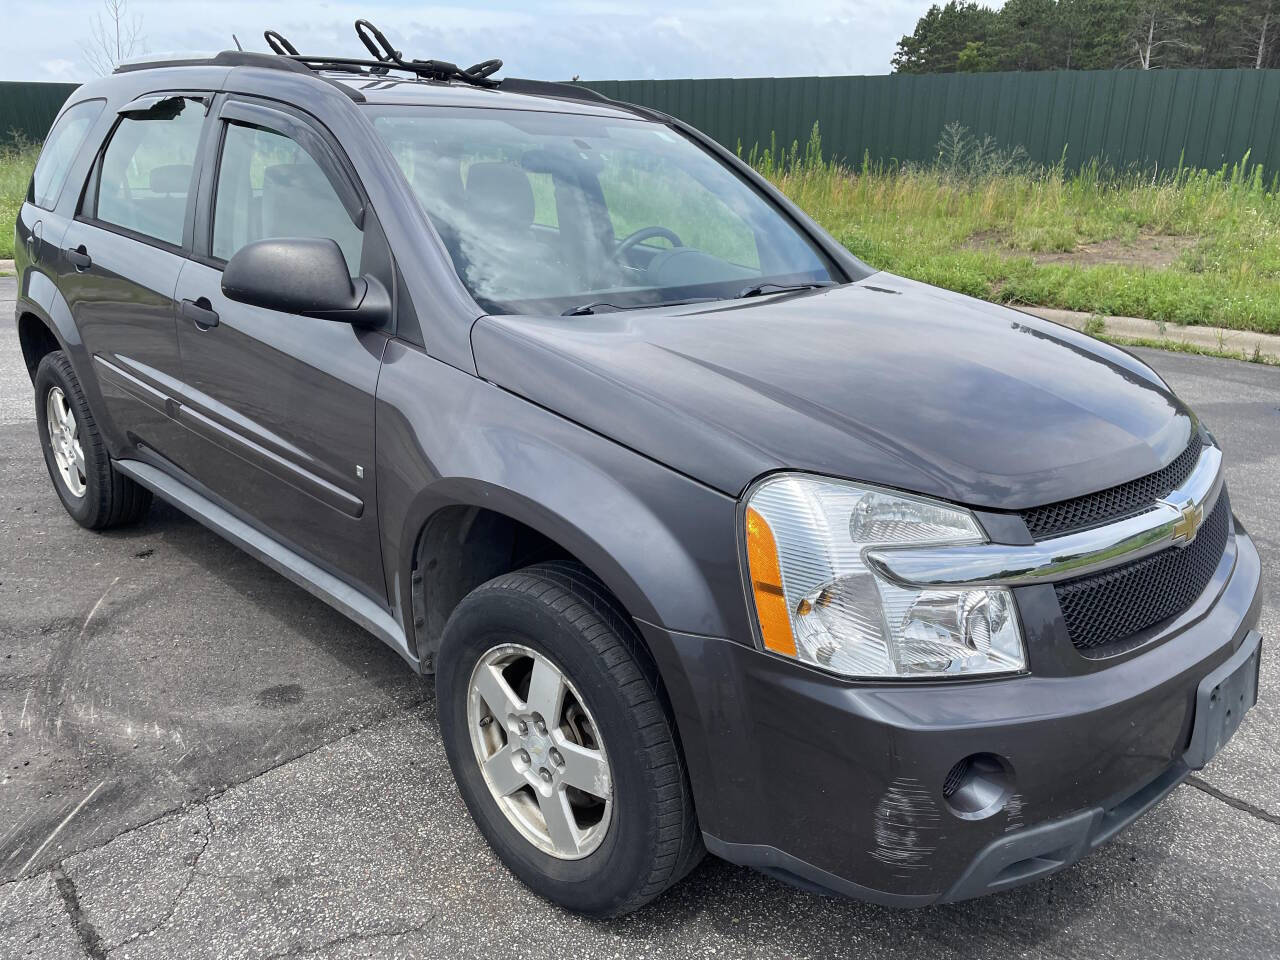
{"x":1146,"y":118}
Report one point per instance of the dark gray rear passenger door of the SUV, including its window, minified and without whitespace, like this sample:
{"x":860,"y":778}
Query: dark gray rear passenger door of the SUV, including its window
{"x":121,"y":258}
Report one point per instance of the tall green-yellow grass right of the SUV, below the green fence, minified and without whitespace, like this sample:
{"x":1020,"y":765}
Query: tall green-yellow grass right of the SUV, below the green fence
{"x":979,"y":234}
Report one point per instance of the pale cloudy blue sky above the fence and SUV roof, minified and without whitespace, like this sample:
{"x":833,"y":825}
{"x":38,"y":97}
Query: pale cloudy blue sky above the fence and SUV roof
{"x":557,"y":40}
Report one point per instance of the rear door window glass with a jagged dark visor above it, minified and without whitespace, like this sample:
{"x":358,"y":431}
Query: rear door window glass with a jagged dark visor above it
{"x":147,"y":170}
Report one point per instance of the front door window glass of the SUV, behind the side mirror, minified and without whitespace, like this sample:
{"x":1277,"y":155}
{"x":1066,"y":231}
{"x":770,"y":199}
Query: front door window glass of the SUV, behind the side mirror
{"x":269,"y":186}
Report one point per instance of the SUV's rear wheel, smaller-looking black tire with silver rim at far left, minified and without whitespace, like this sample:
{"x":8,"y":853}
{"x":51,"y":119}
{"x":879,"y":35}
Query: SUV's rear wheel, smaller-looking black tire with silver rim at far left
{"x":94,"y":495}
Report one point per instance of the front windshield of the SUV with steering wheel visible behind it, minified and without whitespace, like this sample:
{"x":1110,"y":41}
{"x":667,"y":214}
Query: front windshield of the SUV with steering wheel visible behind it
{"x":548,"y":213}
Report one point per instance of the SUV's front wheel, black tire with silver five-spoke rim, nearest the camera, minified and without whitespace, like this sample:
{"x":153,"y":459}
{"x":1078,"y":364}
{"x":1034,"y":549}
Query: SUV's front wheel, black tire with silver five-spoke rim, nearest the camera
{"x":650,"y":839}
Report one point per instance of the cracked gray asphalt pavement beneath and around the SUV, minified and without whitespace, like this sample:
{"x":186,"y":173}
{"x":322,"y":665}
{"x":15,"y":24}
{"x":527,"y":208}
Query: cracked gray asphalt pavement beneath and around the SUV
{"x":202,"y":761}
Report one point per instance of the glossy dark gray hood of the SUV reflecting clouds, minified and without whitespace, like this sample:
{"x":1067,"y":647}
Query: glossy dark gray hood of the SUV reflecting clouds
{"x":885,"y":381}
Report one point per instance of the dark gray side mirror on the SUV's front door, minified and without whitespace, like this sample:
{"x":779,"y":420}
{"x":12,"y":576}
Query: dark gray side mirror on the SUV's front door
{"x":305,"y":276}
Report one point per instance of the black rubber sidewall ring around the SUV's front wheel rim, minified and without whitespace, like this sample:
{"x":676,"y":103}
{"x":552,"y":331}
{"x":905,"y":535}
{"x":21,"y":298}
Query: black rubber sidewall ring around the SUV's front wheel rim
{"x":611,"y":875}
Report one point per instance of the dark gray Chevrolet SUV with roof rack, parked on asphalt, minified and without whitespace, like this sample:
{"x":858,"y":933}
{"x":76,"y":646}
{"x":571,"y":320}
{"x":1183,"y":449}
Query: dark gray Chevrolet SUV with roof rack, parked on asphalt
{"x":714,"y":537}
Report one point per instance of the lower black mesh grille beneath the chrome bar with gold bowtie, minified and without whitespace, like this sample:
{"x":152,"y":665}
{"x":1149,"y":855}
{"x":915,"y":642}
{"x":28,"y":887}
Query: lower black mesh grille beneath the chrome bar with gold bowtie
{"x":1104,"y":610}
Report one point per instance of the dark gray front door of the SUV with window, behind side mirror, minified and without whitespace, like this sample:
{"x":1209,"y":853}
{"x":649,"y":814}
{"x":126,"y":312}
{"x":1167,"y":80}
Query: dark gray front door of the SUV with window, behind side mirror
{"x":281,"y":408}
